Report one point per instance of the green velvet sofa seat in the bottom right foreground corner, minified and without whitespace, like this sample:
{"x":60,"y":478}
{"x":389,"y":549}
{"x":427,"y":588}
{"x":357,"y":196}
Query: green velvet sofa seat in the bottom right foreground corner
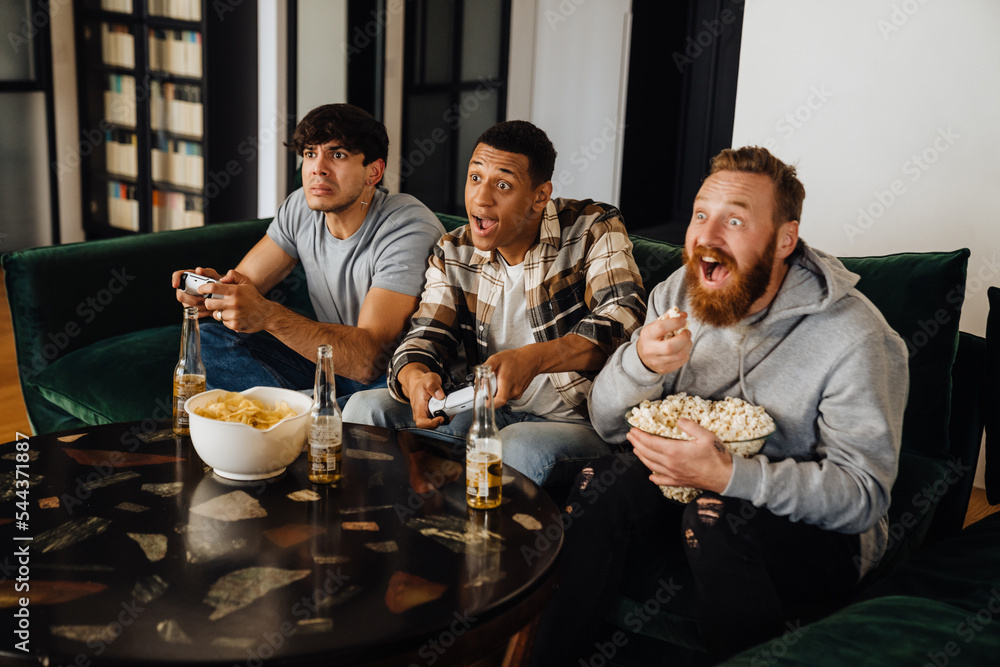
{"x":941,"y":607}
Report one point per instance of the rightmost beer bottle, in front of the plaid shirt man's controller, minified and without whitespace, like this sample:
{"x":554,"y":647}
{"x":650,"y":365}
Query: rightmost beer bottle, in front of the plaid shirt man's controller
{"x":483,"y":452}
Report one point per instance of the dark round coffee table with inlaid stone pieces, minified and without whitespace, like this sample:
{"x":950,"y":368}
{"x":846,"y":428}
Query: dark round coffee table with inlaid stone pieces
{"x":140,"y":554}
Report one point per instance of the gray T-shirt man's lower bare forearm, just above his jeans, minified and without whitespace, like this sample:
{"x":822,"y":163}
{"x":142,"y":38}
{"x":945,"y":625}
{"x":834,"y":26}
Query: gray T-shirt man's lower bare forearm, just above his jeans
{"x":357,"y":354}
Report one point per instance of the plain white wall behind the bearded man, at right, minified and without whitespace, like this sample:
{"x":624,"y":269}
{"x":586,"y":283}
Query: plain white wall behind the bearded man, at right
{"x":889,"y":109}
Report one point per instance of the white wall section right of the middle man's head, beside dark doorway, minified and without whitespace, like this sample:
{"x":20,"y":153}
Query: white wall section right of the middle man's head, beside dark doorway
{"x":578,"y":91}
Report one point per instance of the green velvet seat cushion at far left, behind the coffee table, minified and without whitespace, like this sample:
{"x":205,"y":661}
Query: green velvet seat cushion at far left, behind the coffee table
{"x":99,"y":385}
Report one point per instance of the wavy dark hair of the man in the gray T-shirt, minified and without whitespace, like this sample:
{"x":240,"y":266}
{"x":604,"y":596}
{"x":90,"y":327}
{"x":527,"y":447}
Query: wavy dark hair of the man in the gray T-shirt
{"x":355,"y":129}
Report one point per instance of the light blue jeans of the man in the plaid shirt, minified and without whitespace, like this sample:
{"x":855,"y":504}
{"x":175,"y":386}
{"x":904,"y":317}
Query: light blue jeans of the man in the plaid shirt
{"x":543,"y":450}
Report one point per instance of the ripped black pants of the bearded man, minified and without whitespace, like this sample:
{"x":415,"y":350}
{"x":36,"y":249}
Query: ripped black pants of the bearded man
{"x":753,"y":570}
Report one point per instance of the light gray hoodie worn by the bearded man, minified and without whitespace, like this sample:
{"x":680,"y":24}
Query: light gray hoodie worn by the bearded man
{"x":825,"y":365}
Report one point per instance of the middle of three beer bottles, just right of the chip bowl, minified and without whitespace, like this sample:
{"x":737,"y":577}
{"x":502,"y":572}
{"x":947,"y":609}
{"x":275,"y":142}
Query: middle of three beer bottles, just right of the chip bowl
{"x":326,"y":429}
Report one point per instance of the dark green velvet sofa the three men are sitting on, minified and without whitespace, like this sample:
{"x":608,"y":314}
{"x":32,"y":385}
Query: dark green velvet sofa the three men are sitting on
{"x":97,"y":329}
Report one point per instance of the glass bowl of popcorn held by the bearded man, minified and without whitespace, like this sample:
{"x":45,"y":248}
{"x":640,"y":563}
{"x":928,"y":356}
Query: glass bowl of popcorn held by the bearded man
{"x":742,"y":427}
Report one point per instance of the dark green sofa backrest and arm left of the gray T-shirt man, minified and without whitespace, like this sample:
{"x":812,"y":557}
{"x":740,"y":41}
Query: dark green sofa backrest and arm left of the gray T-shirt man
{"x":64,"y":298}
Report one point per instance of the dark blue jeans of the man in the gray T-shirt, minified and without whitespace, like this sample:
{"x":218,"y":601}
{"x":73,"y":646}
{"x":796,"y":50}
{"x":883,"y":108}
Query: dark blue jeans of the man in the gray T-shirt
{"x":237,"y":361}
